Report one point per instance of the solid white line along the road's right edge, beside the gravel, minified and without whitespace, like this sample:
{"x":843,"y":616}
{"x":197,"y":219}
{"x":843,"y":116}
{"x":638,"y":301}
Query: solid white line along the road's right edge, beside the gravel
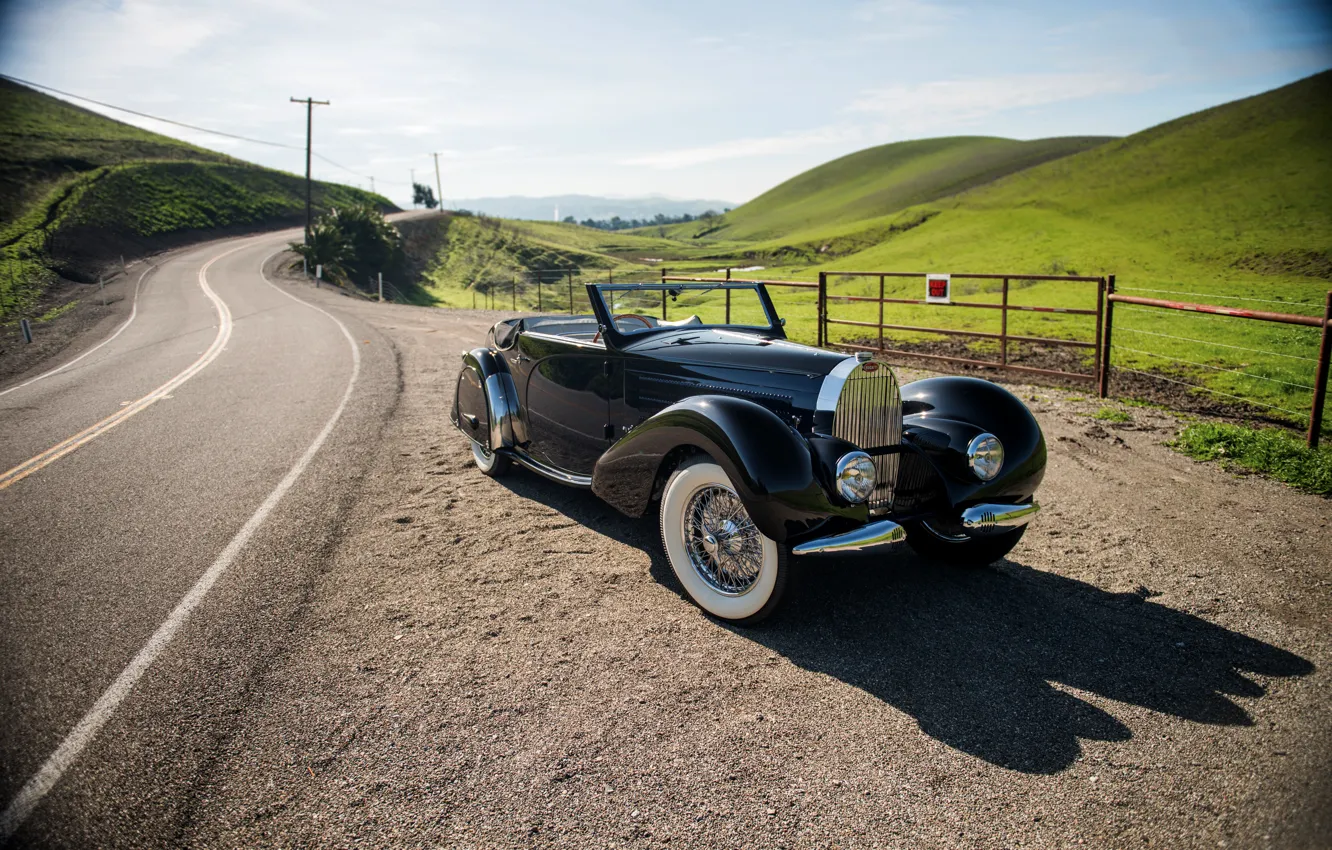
{"x":87,"y":729}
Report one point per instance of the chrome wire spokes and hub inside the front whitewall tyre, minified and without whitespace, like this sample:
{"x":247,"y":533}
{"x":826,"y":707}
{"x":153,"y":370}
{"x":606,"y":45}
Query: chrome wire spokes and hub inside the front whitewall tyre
{"x":724,"y":546}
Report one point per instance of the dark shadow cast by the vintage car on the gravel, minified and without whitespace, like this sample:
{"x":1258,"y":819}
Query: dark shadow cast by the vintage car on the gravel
{"x":986,"y":660}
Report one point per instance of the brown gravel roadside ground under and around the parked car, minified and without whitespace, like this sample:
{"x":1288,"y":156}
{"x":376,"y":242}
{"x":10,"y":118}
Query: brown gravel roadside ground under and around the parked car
{"x":511,"y":664}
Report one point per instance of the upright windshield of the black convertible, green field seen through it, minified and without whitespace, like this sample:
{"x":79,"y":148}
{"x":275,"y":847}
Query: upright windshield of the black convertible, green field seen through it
{"x":643,"y":307}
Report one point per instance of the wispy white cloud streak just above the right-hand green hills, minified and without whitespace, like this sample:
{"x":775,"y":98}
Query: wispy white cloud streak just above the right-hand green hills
{"x":973,"y":99}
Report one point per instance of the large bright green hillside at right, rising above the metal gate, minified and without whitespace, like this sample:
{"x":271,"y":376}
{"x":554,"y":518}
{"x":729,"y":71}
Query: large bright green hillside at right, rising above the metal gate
{"x":1238,"y":191}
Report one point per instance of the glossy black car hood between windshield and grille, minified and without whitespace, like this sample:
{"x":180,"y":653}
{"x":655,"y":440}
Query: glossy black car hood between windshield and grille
{"x":735,"y":350}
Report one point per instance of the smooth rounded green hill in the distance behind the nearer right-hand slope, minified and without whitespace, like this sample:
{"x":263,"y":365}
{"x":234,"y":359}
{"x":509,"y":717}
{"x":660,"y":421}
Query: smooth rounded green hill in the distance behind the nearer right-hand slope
{"x":882,"y":181}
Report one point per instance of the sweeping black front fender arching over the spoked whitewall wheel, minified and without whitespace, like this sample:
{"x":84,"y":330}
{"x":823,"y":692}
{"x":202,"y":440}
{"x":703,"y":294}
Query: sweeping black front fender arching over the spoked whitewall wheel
{"x":767,"y":460}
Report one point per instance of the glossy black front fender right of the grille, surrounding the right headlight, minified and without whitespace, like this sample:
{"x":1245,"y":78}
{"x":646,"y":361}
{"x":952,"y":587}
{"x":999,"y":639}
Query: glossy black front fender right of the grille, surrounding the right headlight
{"x":942,"y":415}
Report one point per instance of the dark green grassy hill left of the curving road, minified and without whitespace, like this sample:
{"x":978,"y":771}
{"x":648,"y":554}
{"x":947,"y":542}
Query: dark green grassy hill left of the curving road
{"x":78,"y":189}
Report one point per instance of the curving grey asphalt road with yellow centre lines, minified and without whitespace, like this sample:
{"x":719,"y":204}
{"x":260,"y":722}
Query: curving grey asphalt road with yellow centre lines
{"x":166,"y":502}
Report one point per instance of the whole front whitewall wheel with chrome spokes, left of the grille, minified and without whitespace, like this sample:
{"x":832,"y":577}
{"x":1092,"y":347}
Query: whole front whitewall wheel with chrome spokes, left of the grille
{"x":727,"y":566}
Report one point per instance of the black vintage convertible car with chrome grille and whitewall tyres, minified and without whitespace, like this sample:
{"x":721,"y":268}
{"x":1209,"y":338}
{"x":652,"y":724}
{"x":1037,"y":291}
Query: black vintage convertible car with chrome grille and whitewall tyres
{"x":755,"y":448}
